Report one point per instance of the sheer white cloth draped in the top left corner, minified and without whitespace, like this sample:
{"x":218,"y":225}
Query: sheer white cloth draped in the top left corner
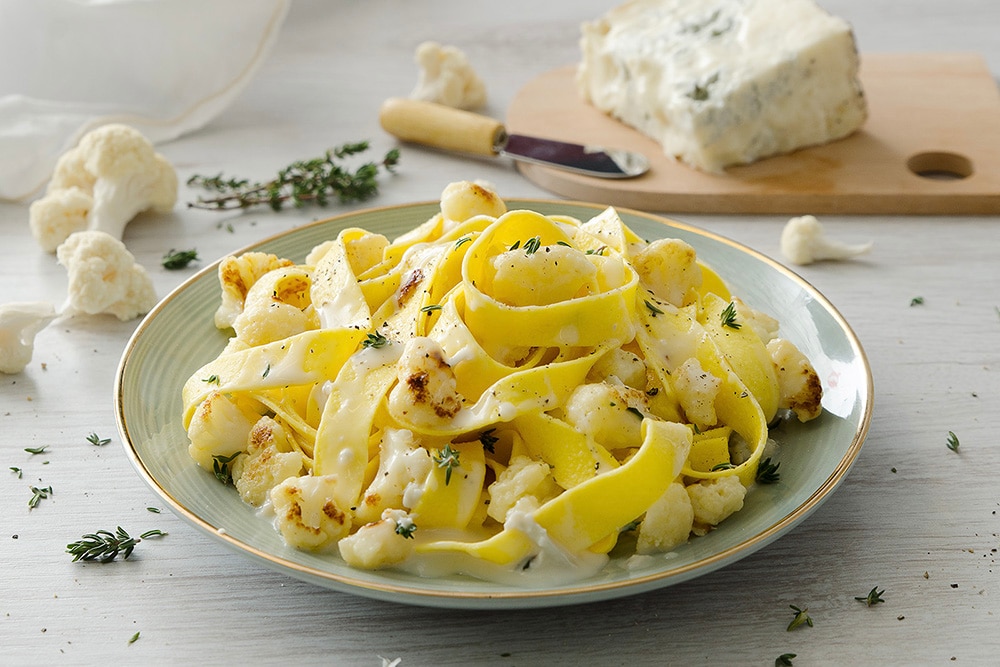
{"x":165,"y":67}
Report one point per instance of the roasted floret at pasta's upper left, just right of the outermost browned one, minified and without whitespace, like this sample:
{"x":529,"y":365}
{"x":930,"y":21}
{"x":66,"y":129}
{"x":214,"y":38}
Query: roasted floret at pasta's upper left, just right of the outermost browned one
{"x":276,"y":306}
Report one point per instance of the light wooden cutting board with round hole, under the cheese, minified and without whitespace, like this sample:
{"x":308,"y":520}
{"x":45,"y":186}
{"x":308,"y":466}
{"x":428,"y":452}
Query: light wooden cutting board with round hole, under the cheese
{"x":936,"y":114}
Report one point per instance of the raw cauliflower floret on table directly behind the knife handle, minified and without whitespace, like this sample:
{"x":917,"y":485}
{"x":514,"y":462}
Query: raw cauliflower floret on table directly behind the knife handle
{"x":446,"y":77}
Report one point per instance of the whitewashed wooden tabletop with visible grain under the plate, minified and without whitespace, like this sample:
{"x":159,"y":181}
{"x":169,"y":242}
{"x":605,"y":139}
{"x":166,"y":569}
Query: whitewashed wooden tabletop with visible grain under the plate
{"x":913,"y":517}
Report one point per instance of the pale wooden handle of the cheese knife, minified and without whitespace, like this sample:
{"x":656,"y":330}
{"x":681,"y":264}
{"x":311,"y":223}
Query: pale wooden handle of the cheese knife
{"x":442,"y":126}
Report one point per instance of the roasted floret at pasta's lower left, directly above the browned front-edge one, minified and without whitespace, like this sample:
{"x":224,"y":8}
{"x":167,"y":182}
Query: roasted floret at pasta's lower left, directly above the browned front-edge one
{"x":270,"y":459}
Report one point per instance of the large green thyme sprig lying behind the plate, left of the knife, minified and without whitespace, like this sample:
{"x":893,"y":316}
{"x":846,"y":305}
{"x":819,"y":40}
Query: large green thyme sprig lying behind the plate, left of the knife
{"x":316,"y":180}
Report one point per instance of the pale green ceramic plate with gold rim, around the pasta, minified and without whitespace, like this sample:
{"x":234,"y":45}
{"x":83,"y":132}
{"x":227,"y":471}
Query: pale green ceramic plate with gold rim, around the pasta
{"x":178,"y":337}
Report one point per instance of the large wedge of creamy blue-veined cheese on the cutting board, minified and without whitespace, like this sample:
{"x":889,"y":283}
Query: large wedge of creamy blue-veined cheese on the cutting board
{"x":724,"y":82}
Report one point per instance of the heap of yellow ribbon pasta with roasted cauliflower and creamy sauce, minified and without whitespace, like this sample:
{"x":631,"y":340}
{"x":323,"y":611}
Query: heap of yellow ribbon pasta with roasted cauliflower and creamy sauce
{"x":497,"y":392}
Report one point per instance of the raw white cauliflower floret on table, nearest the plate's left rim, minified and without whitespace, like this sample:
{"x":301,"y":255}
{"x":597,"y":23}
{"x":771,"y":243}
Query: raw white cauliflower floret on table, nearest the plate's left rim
{"x":104,"y":277}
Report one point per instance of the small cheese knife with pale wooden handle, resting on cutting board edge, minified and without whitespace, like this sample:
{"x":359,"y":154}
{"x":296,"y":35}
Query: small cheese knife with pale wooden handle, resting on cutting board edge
{"x":453,"y":129}
